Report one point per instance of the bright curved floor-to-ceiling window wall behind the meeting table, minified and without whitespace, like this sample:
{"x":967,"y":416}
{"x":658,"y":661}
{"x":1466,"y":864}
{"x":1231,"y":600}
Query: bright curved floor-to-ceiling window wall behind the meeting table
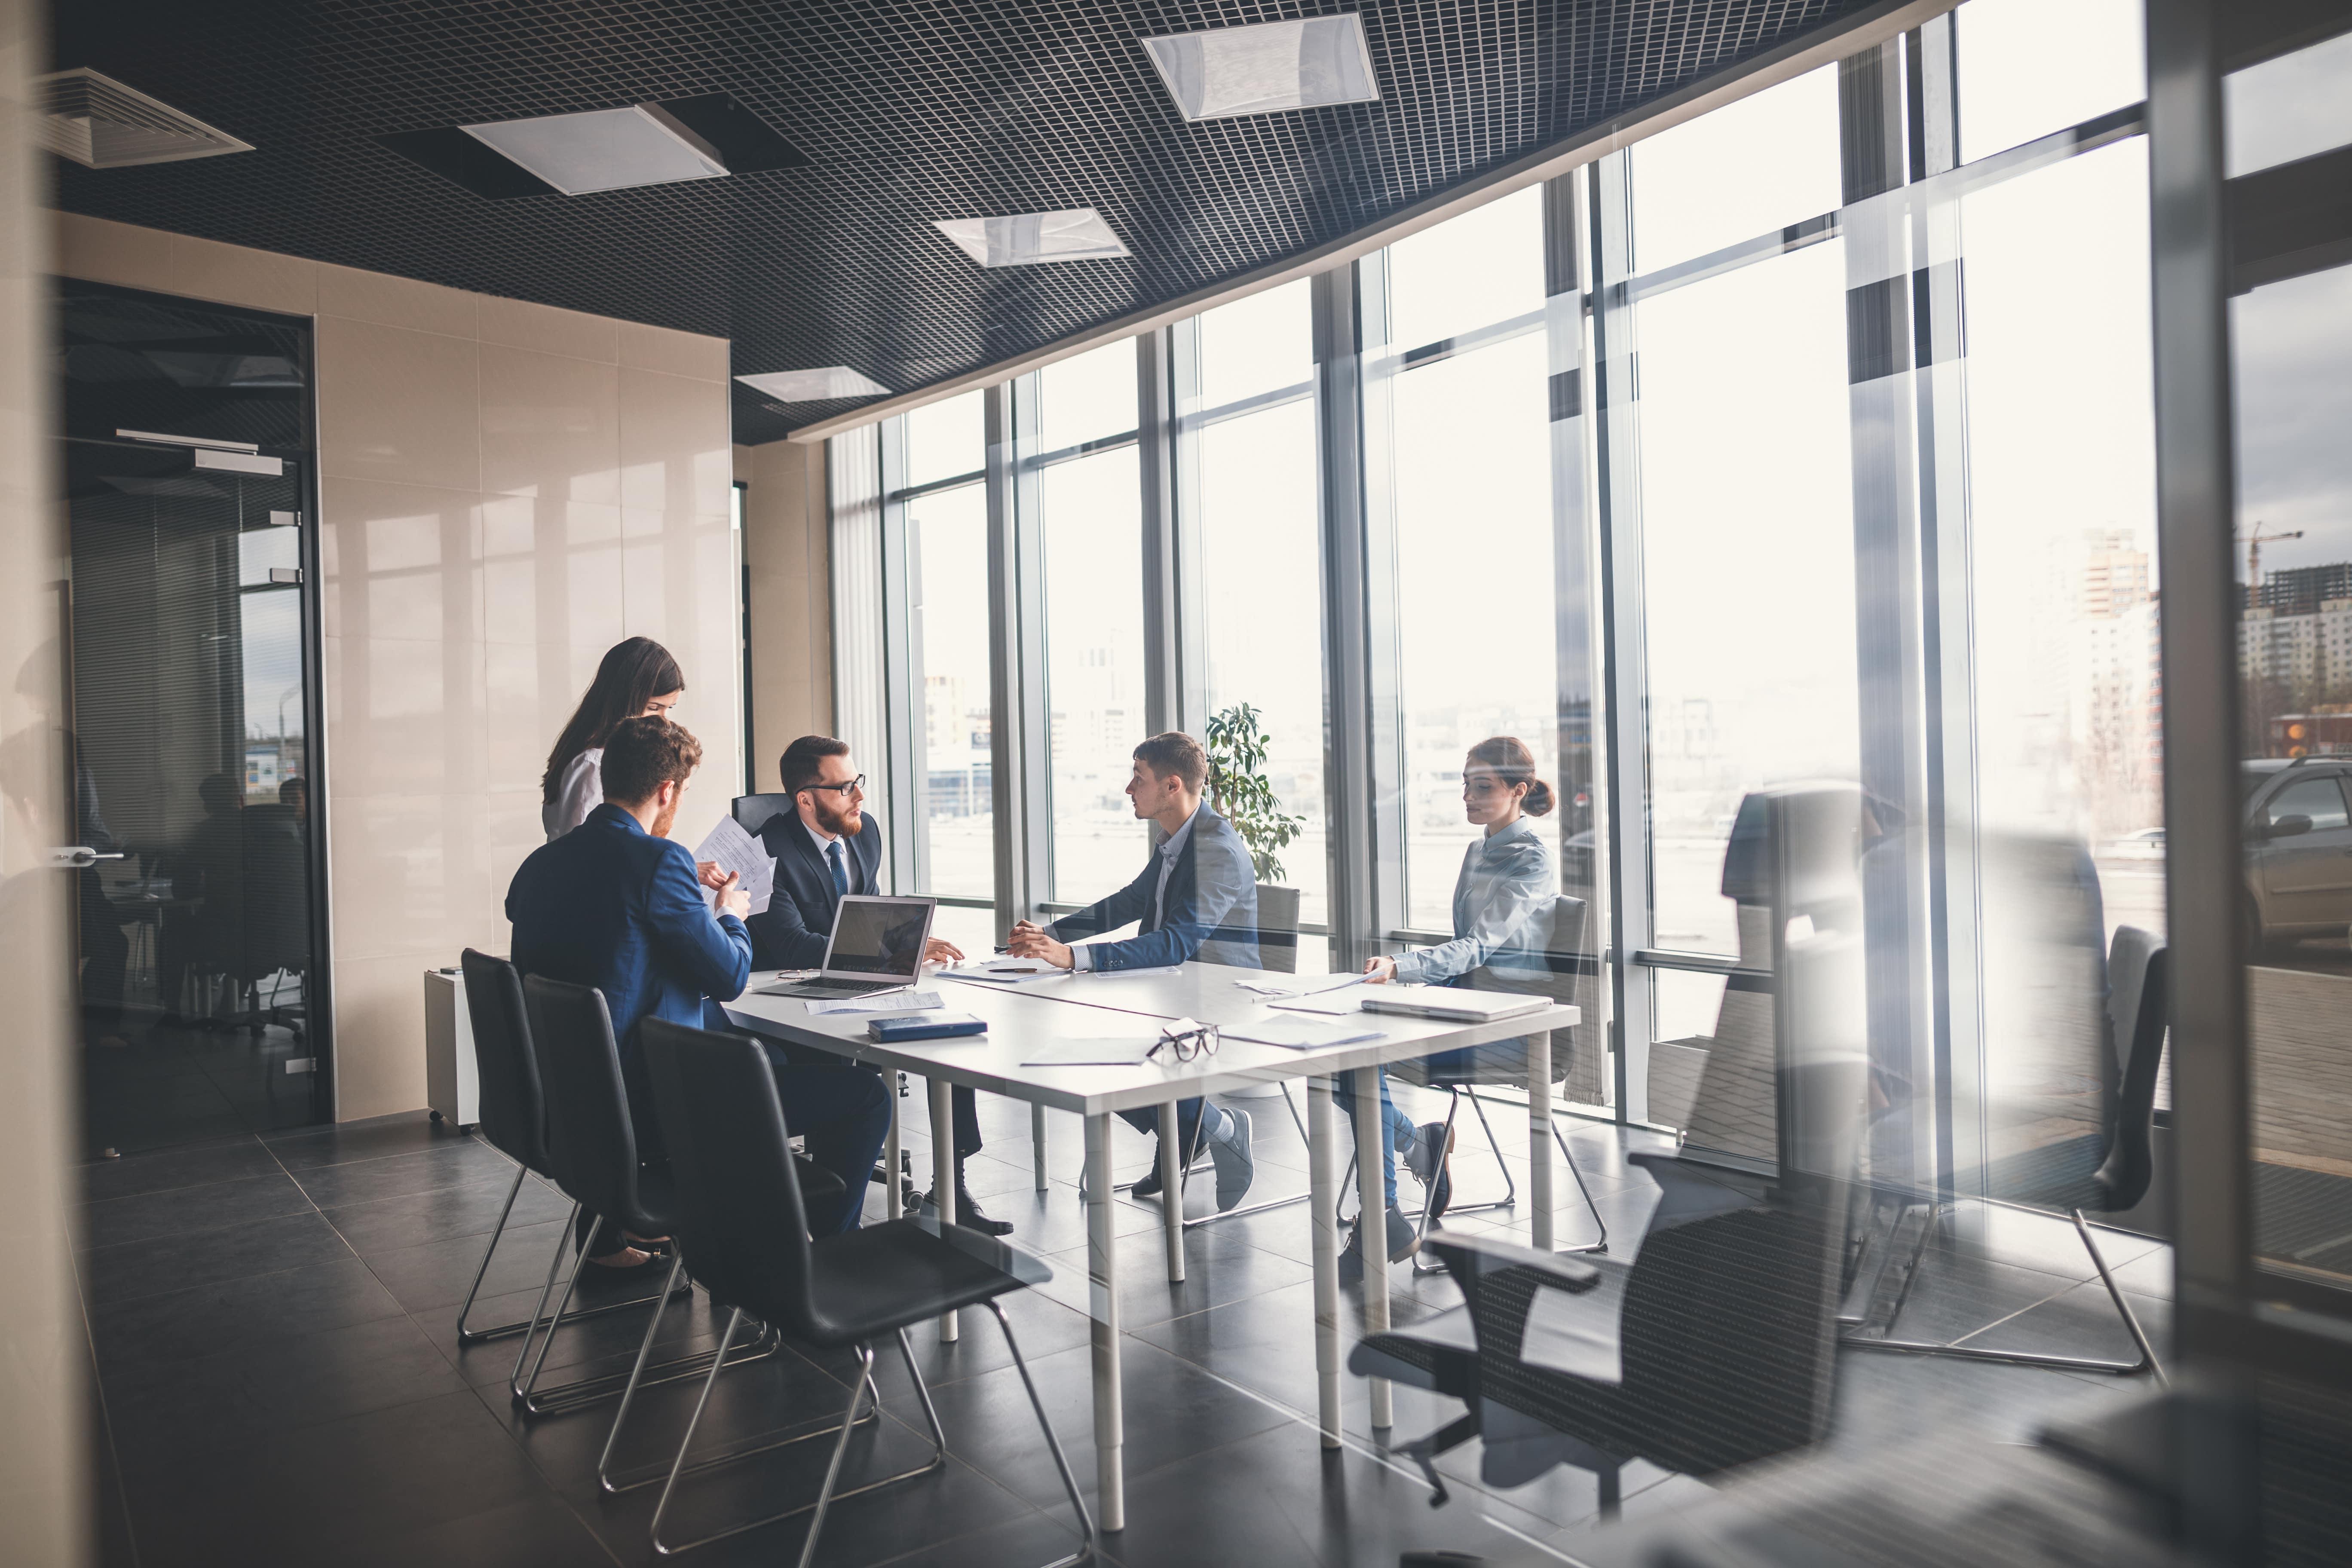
{"x":1782,"y":483}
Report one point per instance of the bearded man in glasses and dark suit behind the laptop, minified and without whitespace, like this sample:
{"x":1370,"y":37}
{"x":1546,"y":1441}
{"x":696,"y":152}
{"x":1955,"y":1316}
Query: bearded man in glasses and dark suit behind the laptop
{"x":829,"y":847}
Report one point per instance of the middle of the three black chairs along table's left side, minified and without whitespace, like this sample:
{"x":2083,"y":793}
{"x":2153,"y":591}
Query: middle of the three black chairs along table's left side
{"x":594,"y":1158}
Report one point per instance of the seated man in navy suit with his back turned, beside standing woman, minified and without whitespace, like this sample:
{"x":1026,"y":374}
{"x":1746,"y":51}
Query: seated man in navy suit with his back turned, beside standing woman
{"x":617,"y":906}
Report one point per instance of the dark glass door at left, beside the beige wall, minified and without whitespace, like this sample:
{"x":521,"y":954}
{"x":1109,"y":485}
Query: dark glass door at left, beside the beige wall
{"x":192,"y":749}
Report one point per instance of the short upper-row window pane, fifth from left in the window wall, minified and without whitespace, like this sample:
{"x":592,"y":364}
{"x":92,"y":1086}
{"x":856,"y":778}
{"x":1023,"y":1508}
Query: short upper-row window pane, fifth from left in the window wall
{"x":1739,"y":173}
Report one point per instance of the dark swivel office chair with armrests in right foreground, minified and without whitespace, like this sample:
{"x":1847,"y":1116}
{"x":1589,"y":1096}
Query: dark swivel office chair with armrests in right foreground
{"x":1713,"y":1348}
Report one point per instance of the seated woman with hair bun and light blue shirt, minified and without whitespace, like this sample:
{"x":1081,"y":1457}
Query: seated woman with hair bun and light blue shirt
{"x":1504,"y":885}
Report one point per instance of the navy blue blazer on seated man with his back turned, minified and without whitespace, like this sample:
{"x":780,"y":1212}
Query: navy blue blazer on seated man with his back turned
{"x":617,"y":909}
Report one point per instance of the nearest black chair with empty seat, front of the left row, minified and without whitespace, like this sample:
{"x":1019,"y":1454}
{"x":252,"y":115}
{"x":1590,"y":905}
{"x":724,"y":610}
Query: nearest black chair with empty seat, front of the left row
{"x":740,"y":1214}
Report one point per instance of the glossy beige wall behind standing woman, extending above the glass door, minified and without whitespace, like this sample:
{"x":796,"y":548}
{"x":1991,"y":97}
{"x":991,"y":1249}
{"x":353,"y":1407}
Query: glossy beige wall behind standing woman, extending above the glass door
{"x":476,"y":563}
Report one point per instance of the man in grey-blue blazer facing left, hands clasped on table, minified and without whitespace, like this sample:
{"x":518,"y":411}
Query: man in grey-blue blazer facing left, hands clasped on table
{"x":1198,"y":897}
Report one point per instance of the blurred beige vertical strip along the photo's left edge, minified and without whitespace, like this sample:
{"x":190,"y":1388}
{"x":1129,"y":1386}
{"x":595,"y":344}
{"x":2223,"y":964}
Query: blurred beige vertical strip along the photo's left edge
{"x":44,"y":1351}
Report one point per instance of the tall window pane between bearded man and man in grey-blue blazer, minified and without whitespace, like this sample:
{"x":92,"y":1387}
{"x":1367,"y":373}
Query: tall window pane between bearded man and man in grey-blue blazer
{"x":1095,"y":669}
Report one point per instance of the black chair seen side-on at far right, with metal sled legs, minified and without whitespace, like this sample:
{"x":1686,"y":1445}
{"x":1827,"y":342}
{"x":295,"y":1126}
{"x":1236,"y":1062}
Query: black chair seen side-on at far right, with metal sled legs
{"x":2104,"y":1174}
